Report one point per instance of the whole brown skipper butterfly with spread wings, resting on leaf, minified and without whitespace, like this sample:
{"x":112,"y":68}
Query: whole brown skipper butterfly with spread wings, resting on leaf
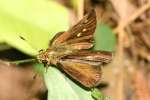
{"x":69,"y":51}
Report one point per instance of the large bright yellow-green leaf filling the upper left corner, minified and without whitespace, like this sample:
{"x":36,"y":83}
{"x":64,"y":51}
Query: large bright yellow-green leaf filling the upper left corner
{"x":34,"y":20}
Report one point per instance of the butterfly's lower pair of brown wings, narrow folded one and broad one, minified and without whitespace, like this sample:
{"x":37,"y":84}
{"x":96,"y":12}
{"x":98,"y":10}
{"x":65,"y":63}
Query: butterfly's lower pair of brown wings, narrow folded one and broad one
{"x":84,"y":66}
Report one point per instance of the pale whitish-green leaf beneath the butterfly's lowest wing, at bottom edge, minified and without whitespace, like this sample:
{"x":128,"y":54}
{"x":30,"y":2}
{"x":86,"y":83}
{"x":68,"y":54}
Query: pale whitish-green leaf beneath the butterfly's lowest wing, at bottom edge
{"x":62,"y":88}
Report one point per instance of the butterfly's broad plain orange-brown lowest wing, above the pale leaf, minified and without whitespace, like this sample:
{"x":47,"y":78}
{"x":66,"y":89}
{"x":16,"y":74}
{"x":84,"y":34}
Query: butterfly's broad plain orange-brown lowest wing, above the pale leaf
{"x":85,"y":73}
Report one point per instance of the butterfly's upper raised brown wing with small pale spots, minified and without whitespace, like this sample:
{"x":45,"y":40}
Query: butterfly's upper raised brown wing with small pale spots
{"x":82,"y":31}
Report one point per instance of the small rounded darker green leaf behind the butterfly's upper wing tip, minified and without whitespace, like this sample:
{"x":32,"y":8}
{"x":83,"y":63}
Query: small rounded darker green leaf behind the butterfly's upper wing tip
{"x":104,"y":38}
